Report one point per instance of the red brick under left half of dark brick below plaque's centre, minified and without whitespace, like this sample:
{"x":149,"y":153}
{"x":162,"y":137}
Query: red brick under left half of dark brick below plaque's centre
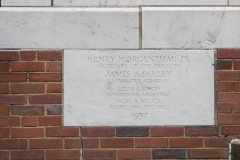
{"x":117,"y":143}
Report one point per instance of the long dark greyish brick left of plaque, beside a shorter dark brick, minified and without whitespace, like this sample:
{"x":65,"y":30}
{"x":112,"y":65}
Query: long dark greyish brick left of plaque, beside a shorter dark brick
{"x":27,"y":110}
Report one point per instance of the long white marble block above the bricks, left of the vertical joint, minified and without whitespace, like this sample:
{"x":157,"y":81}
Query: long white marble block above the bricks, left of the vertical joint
{"x":78,"y":28}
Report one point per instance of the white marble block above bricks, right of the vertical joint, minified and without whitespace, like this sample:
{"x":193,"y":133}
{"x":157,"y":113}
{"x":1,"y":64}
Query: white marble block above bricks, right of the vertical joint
{"x":190,"y":27}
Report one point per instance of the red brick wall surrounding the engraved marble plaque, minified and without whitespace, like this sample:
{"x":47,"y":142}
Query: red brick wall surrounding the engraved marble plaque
{"x":31,"y":117}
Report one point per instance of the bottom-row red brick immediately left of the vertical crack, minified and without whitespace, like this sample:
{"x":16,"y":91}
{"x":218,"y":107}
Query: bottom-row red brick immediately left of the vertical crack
{"x":63,"y":154}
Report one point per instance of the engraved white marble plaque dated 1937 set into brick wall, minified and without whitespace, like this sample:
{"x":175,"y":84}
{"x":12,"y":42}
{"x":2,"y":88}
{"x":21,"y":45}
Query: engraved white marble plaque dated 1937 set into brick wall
{"x":138,"y":87}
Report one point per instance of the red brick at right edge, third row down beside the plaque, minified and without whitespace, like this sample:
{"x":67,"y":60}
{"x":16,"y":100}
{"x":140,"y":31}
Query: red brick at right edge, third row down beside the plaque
{"x":228,"y":75}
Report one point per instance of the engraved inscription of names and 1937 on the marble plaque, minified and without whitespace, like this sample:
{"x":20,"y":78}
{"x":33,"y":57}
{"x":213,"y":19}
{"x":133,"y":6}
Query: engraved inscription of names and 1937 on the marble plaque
{"x":137,"y":82}
